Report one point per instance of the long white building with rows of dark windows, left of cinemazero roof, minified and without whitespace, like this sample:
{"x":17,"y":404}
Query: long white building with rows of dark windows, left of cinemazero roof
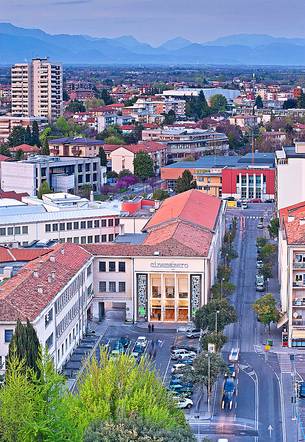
{"x":59,"y":218}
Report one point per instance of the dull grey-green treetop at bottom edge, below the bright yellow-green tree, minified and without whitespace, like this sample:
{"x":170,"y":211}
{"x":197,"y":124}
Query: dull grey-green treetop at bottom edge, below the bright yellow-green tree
{"x":134,"y":429}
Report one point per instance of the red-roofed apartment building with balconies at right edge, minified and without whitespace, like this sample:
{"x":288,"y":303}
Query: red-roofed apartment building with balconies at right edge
{"x":292,"y":274}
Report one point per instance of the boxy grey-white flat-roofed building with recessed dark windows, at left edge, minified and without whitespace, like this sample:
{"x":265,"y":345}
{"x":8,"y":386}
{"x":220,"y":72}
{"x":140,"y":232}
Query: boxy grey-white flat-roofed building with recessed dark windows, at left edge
{"x":63,"y":174}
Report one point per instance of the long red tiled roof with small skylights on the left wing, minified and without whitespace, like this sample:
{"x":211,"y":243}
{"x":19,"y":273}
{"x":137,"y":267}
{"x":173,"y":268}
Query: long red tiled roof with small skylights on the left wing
{"x":19,"y":296}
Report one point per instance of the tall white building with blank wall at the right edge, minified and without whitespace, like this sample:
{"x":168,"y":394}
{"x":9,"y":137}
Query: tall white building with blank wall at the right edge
{"x":290,"y":171}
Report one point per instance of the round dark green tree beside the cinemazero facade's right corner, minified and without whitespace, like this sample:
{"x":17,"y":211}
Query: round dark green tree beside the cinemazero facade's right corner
{"x":206,"y":316}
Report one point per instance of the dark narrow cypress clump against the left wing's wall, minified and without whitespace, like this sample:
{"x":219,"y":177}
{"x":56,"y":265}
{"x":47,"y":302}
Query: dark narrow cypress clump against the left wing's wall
{"x":25,"y":346}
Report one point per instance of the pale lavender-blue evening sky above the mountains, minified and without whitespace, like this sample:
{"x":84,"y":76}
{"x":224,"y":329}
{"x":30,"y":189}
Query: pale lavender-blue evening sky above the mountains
{"x":155,"y":21}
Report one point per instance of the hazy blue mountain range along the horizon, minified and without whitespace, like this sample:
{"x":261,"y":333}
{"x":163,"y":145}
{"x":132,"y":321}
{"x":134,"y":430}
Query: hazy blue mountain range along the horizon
{"x":20,"y":44}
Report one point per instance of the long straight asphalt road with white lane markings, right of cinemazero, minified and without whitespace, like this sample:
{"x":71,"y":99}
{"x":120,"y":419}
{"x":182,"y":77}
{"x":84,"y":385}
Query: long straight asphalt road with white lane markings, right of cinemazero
{"x":257,"y":413}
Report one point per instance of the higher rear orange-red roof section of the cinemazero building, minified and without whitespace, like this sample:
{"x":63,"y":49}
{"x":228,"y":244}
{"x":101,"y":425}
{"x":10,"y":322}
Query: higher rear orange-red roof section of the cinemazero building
{"x":192,"y":206}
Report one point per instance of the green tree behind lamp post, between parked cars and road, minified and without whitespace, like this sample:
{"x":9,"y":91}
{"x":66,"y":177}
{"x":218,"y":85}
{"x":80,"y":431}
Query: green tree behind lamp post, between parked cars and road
{"x":207,"y":368}
